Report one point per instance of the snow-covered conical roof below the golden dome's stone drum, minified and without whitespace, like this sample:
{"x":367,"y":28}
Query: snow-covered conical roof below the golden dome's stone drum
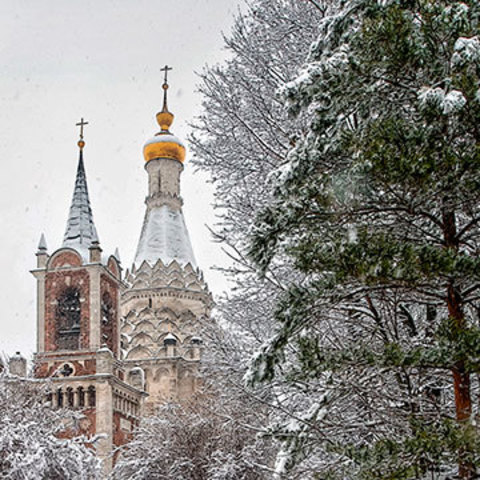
{"x":164,"y":236}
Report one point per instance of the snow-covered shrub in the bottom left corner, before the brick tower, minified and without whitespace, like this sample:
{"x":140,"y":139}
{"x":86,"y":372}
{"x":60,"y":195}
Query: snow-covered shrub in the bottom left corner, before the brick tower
{"x":30,"y":448}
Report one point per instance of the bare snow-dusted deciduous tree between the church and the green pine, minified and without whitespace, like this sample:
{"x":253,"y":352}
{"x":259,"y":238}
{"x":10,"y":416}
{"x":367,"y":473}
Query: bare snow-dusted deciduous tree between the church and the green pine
{"x":242,"y":137}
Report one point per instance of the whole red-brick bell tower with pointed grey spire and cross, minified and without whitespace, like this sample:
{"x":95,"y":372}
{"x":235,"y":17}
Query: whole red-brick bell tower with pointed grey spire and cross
{"x":78,"y":340}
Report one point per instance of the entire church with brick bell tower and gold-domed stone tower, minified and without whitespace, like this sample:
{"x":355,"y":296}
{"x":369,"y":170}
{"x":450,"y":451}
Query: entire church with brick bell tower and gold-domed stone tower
{"x":113,"y":343}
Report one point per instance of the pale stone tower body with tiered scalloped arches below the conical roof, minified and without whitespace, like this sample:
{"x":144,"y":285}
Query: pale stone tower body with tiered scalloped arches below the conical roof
{"x":164,"y":307}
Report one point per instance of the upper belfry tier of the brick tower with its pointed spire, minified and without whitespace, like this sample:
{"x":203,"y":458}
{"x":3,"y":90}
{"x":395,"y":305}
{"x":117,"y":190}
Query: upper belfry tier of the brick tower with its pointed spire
{"x":78,"y":290}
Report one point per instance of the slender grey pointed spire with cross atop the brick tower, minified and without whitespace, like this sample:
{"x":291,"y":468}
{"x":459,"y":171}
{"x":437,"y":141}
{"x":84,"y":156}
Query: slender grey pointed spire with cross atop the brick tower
{"x":80,"y":232}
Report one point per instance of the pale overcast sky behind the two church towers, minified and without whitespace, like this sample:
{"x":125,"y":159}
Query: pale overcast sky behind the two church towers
{"x":100,"y":59}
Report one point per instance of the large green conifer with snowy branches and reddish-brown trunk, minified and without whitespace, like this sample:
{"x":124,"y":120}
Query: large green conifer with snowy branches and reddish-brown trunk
{"x":378,"y":205}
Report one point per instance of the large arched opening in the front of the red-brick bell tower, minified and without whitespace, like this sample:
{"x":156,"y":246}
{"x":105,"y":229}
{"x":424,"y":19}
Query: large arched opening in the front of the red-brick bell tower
{"x":68,"y":316}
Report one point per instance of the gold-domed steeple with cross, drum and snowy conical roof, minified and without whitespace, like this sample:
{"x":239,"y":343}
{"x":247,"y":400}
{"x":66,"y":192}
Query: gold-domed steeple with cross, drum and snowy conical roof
{"x":164,"y":233}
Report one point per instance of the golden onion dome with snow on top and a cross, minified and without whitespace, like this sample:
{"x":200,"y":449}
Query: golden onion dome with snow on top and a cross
{"x":164,"y":144}
